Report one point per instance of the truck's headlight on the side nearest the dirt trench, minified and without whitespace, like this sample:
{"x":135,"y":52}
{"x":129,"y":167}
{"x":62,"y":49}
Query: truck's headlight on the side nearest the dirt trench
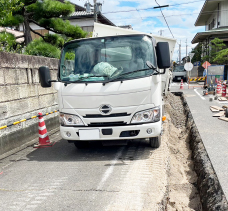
{"x":150,"y":115}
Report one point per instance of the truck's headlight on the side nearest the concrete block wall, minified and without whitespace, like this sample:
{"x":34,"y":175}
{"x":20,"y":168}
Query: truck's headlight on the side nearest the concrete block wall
{"x":70,"y":120}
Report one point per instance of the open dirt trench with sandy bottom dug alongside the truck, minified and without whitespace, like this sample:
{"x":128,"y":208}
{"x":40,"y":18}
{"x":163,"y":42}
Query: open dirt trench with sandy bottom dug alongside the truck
{"x":192,"y":181}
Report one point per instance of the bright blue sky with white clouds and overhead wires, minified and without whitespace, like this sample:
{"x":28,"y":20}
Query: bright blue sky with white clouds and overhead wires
{"x":180,"y":17}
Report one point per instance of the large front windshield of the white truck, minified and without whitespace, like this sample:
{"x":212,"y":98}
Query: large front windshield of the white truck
{"x":103,"y":59}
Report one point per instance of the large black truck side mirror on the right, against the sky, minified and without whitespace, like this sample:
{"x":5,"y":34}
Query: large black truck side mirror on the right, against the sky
{"x":163,"y":55}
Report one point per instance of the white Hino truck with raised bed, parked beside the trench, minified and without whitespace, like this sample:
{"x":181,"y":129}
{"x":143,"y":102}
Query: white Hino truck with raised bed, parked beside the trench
{"x":110,"y":86}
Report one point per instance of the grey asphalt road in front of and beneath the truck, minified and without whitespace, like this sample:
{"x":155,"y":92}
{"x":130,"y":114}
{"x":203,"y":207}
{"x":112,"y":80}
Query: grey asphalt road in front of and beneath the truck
{"x":65,"y":178}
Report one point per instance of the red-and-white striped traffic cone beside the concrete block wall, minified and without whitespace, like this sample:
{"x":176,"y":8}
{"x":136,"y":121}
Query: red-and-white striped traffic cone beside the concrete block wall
{"x":44,"y":140}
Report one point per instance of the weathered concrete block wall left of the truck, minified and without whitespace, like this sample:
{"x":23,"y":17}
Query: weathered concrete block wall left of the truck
{"x":21,"y":97}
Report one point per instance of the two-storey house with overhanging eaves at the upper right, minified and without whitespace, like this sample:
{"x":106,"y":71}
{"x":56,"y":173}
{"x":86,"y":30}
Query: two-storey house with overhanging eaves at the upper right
{"x":214,"y":16}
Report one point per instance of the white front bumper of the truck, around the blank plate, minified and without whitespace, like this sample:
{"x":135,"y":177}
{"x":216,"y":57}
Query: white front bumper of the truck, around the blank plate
{"x":116,"y":132}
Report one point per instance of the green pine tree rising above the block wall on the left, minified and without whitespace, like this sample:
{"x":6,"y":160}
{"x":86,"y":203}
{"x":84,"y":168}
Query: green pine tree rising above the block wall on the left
{"x":48,"y":14}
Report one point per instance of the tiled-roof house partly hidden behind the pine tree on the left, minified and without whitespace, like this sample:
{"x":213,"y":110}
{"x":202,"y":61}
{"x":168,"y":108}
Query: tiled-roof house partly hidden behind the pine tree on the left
{"x":80,"y":17}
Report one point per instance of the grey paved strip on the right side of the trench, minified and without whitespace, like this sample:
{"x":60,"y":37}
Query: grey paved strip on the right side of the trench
{"x":214,"y":132}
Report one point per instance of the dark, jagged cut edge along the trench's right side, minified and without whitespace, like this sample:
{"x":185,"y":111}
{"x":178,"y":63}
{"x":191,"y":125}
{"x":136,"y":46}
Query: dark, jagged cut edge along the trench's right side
{"x":210,"y":191}
